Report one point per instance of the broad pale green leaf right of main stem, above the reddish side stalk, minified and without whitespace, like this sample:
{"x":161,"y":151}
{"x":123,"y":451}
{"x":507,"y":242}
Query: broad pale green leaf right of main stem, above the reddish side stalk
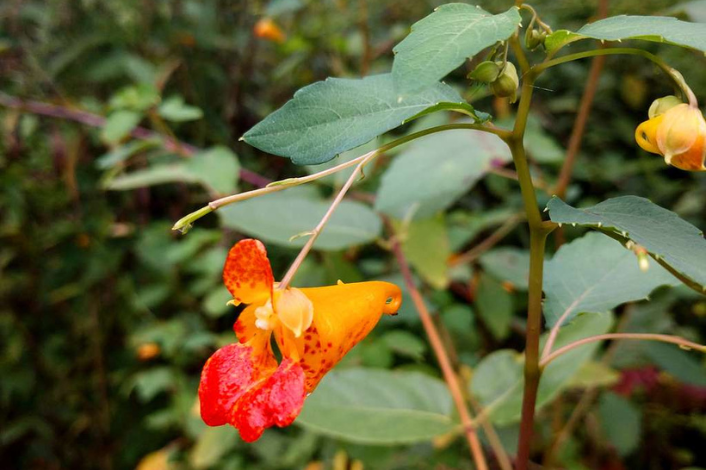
{"x":596,"y":274}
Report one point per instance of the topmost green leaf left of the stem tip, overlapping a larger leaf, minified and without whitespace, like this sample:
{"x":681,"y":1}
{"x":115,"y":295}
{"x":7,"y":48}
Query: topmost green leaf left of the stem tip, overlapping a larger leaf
{"x":443,"y":40}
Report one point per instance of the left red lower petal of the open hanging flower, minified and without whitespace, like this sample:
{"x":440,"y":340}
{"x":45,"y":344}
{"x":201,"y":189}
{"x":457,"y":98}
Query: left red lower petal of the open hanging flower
{"x":228,"y":374}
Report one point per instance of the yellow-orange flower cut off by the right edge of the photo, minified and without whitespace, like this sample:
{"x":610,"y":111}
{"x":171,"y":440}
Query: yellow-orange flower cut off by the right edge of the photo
{"x":677,"y":131}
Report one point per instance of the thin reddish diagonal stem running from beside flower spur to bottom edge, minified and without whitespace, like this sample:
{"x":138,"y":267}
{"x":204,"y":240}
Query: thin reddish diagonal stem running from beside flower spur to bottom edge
{"x":443,"y":358}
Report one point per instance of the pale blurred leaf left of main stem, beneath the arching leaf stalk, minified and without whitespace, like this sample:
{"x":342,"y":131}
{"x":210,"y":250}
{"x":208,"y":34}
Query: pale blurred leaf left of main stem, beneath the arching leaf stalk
{"x":436,"y":170}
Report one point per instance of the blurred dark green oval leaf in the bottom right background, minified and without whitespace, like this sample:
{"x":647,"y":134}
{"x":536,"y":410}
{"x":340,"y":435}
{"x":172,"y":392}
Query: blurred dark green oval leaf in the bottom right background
{"x":621,"y":422}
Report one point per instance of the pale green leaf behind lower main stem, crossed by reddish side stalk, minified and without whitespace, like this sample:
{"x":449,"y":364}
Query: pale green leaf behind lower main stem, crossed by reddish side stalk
{"x":498,"y":380}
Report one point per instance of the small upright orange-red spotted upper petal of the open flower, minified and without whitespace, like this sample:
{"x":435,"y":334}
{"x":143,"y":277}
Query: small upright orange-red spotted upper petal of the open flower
{"x":247,"y":273}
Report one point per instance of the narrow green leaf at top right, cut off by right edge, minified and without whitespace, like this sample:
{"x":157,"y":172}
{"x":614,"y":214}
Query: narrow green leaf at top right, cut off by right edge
{"x":649,"y":28}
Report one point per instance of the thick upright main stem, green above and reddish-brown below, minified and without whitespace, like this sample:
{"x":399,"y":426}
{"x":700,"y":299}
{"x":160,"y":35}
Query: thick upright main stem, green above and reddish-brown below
{"x":538,"y":236}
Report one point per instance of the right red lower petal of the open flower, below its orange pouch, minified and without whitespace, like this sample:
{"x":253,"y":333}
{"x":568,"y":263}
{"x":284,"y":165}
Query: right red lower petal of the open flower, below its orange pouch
{"x":275,"y":401}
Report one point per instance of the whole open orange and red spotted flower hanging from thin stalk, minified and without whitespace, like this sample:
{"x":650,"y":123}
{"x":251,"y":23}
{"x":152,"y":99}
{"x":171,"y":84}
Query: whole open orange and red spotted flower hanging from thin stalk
{"x":242,"y":384}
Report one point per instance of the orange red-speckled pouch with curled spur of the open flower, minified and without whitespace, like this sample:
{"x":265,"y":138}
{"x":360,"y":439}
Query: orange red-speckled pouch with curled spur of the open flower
{"x":343,"y":316}
